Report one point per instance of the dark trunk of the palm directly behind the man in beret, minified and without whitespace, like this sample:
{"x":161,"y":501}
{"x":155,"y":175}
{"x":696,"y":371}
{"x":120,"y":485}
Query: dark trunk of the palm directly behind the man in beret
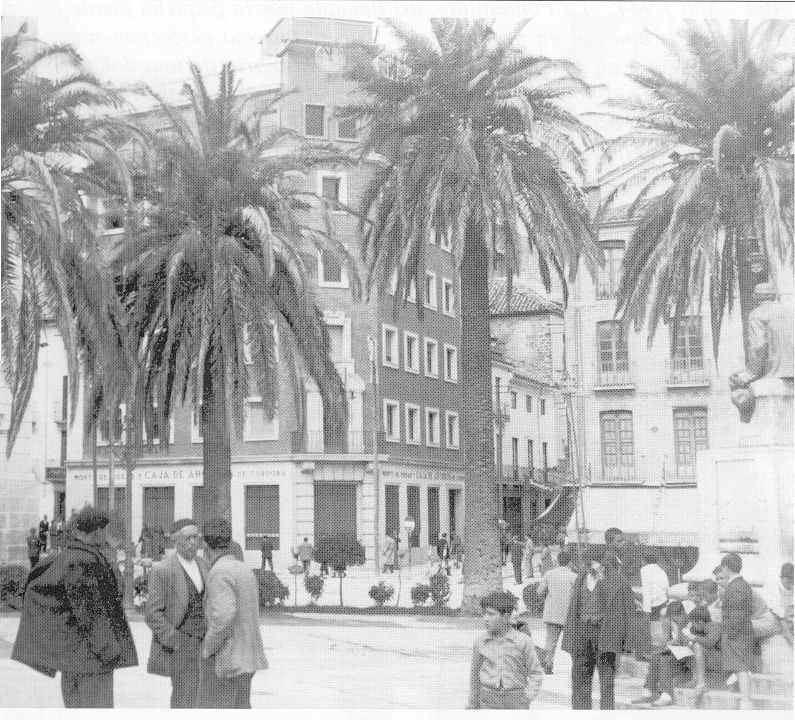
{"x":216,"y":451}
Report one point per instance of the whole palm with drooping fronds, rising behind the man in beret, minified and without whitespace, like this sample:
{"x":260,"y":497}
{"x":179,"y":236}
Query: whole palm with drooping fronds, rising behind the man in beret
{"x":215,"y":273}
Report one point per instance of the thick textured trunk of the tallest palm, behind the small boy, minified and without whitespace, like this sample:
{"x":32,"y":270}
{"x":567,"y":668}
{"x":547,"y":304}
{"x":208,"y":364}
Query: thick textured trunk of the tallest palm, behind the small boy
{"x":482,"y":568}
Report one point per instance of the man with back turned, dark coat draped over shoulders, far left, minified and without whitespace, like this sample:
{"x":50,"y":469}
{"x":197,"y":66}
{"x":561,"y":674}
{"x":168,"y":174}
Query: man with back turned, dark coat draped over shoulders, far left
{"x":73,"y":619}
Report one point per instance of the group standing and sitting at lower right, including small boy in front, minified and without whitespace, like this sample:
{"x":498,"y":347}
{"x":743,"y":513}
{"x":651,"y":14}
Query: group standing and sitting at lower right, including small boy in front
{"x":718,"y":627}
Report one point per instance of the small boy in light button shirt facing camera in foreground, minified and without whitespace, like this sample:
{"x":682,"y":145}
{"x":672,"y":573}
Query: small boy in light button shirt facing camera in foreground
{"x":505,"y":672}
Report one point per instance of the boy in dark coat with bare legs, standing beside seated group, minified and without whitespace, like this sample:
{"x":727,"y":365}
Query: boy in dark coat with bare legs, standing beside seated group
{"x":737,"y":638}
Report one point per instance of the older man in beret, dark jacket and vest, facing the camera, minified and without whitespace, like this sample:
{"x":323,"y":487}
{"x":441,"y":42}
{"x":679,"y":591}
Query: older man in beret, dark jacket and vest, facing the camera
{"x":175,"y":614}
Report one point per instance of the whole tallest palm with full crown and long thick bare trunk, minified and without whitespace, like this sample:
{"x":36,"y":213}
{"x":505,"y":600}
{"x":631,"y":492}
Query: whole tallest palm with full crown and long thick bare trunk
{"x":468,"y":136}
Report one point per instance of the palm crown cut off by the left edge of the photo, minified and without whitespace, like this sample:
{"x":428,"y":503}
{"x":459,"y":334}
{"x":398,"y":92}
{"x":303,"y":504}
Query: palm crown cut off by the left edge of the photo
{"x":56,"y":150}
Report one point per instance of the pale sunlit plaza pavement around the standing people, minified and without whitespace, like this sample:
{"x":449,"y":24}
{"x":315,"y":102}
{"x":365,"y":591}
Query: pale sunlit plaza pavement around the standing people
{"x":324,"y":660}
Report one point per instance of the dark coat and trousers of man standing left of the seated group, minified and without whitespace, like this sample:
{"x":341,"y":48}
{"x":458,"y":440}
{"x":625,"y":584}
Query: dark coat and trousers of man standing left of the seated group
{"x":596,"y":629}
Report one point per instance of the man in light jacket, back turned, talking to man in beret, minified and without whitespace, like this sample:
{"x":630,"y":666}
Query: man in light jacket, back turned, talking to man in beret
{"x":232,"y":649}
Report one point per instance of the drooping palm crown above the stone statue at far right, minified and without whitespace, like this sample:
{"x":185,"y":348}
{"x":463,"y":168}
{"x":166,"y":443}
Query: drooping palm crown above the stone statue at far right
{"x":722,"y":194}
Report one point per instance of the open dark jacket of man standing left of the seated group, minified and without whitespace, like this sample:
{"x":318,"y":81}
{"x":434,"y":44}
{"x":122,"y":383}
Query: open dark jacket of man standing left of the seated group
{"x":619,"y":604}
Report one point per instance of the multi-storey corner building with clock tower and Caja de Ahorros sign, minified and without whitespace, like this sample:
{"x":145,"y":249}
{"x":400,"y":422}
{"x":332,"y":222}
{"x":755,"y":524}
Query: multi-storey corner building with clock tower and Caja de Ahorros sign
{"x":288,"y":480}
